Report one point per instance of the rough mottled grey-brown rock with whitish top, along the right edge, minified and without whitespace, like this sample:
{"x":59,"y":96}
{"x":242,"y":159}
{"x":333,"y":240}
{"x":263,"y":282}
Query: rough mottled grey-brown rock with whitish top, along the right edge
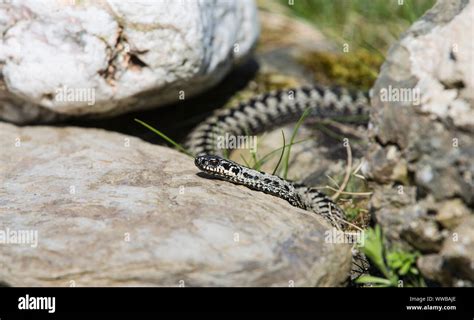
{"x":422,"y":151}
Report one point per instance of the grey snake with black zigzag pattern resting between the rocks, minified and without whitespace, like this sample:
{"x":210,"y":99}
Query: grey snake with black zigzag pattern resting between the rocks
{"x":266,"y":112}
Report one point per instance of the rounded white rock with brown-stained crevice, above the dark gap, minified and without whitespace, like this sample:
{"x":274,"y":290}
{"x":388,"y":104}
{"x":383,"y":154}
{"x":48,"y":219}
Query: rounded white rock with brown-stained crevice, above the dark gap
{"x":106,"y":58}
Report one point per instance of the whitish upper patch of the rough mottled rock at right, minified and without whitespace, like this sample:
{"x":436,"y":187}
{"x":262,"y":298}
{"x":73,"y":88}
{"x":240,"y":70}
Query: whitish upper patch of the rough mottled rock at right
{"x":443,"y":58}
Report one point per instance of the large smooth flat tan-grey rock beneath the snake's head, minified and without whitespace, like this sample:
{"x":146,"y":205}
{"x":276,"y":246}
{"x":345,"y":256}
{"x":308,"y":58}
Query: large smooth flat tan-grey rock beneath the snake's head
{"x":111,"y":210}
